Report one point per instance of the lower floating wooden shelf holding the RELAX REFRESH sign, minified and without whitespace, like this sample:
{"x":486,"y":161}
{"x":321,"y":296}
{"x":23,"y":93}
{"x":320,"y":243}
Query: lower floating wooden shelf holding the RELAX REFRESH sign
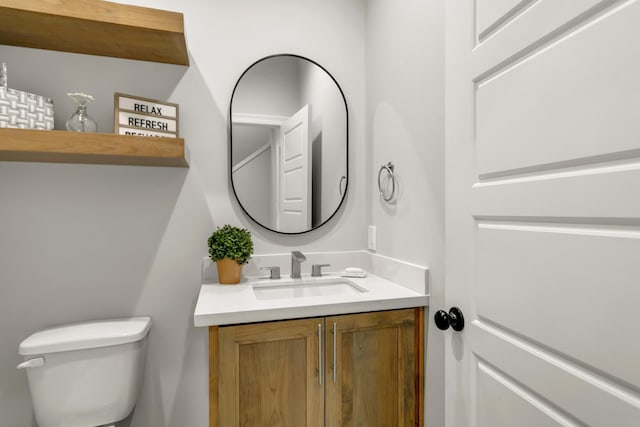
{"x":24,"y":145}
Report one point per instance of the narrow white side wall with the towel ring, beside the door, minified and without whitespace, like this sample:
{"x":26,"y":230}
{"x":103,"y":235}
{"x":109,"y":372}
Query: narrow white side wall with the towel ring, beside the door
{"x":405,"y":125}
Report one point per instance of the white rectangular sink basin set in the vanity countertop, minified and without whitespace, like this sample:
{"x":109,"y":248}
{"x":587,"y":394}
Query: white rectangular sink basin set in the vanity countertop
{"x":289,"y":290}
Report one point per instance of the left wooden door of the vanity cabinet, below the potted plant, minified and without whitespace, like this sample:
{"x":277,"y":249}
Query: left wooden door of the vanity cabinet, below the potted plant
{"x":268,"y":374}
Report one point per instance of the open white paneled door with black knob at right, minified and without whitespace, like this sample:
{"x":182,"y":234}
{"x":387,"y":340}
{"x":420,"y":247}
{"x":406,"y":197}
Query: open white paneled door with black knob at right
{"x":543,"y":213}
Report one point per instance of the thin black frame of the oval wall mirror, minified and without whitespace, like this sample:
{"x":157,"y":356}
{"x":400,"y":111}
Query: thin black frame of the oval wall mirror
{"x":230,"y":132}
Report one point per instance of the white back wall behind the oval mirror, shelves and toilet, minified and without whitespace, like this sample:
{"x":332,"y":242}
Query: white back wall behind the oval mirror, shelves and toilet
{"x":81,"y":242}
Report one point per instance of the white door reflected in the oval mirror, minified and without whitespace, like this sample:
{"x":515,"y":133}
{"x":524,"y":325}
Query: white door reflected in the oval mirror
{"x":294,"y":200}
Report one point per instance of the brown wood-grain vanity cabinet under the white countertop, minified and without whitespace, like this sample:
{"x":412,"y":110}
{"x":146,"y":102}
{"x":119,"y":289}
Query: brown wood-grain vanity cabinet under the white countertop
{"x":349,"y":370}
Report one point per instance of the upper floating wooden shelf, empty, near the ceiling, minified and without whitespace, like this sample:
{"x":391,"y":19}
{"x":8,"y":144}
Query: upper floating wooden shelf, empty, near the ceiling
{"x":95,"y":27}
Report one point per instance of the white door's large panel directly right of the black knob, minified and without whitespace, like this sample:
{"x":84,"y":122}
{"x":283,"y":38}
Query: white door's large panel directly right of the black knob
{"x":548,"y":282}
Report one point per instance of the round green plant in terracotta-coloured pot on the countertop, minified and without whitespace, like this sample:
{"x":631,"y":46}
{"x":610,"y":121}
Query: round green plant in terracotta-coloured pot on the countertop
{"x":230,"y":247}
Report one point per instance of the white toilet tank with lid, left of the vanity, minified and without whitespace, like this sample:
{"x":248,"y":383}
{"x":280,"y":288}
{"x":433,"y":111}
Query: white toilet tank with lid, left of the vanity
{"x":86,"y":374}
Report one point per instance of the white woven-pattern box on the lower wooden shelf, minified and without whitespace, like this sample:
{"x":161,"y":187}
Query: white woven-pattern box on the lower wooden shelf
{"x":23,"y":110}
